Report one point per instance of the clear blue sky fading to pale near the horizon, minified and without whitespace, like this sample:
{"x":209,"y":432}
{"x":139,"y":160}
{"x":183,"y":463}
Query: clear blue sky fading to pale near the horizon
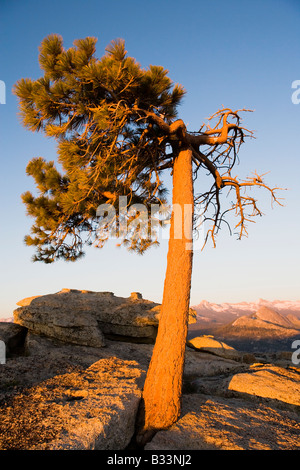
{"x":235,"y":53}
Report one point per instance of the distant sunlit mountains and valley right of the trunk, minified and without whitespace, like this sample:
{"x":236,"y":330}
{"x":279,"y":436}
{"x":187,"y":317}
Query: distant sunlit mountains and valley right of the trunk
{"x":261,"y":326}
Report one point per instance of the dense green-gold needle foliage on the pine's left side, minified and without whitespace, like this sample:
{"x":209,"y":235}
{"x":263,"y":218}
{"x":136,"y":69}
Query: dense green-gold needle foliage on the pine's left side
{"x":107,"y":147}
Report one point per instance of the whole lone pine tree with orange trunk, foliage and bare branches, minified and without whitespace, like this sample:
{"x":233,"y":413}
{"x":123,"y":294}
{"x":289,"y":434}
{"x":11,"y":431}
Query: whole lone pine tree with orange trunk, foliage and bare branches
{"x":117,"y":131}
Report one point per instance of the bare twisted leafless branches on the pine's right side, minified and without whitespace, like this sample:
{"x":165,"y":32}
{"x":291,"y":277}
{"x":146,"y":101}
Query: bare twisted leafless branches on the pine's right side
{"x":223,"y":141}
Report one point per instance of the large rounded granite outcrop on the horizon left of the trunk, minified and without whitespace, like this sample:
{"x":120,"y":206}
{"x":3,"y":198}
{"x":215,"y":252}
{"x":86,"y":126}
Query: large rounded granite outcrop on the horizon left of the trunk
{"x":86,"y":317}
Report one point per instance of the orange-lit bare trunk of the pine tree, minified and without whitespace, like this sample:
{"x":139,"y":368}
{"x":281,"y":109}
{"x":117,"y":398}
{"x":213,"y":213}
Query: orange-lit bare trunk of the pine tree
{"x":163,"y":385}
